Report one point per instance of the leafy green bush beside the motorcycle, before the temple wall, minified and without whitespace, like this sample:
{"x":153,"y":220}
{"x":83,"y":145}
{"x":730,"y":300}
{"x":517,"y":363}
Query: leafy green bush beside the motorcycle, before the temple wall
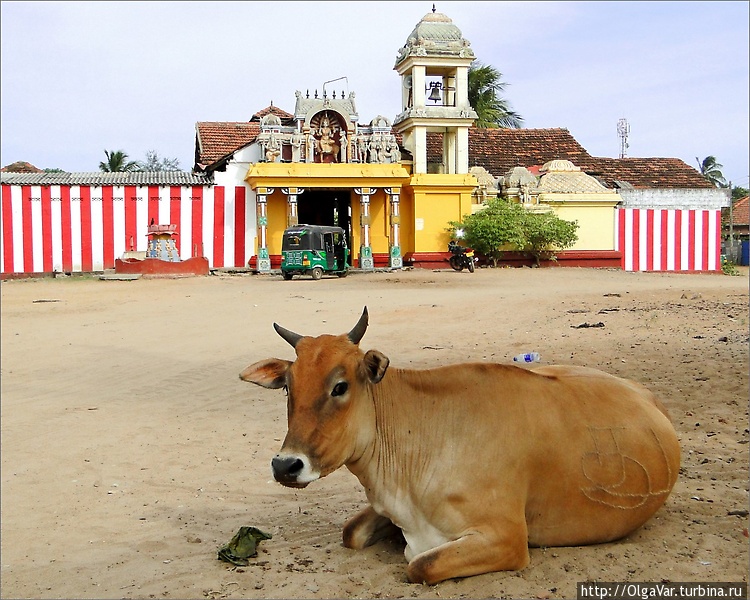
{"x":503,"y":225}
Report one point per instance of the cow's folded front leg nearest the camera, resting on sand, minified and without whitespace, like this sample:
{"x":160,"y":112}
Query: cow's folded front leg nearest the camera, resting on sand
{"x":475,"y":553}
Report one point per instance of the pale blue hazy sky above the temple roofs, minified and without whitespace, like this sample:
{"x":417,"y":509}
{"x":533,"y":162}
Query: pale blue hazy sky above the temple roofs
{"x":82,"y":77}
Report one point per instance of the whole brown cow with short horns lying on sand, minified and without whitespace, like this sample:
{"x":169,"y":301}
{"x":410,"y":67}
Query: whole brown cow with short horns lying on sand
{"x":473,"y":462}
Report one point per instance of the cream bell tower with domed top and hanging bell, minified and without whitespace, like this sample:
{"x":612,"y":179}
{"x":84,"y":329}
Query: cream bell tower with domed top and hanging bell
{"x":434,"y":67}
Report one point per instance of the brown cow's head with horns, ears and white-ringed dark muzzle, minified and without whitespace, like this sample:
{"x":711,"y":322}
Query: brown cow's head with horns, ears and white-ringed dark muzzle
{"x":327,"y":401}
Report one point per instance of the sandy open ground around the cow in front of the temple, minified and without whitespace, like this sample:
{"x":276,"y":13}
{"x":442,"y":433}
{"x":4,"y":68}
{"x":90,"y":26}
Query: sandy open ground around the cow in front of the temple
{"x":131,"y":451}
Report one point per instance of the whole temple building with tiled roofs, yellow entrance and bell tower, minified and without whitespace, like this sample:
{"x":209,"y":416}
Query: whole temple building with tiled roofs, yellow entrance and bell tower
{"x":395,"y":186}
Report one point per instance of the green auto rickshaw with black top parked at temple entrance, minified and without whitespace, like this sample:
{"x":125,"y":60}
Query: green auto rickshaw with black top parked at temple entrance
{"x":314,"y":250}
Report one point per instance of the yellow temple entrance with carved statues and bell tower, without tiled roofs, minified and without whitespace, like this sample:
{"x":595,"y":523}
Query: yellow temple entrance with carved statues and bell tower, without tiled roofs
{"x":388,"y":203}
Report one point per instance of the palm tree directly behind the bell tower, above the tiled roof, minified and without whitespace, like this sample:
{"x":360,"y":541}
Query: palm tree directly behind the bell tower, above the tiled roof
{"x":485,"y":87}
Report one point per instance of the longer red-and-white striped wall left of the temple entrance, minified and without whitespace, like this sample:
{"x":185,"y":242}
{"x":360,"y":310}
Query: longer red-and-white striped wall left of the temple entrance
{"x":82,"y":228}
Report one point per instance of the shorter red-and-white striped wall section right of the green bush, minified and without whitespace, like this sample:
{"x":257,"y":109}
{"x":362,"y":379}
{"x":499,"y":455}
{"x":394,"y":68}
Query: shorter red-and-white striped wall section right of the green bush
{"x":668,"y":240}
